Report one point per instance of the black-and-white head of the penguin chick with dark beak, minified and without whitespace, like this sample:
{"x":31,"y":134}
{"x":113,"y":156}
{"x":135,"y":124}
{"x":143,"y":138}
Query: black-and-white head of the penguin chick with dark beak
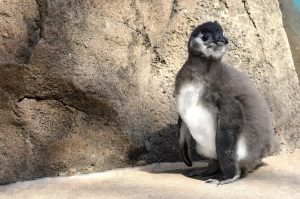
{"x":208,"y":41}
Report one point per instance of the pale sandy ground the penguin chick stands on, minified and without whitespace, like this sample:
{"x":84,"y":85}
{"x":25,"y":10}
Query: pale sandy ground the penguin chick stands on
{"x":279,"y":178}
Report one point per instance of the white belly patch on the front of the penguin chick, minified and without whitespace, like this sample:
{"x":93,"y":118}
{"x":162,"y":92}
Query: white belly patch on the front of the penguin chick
{"x":199,"y":117}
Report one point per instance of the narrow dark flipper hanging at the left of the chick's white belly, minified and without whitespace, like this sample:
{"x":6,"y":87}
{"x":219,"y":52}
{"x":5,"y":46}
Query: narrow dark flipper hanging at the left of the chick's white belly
{"x":185,"y":142}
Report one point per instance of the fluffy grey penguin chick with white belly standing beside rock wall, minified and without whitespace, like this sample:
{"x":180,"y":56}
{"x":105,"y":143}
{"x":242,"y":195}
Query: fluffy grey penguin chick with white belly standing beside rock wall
{"x":221,"y":109}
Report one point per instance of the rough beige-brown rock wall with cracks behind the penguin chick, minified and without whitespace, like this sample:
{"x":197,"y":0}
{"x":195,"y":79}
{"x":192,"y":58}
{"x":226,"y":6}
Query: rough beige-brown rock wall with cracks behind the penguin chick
{"x":87,"y":85}
